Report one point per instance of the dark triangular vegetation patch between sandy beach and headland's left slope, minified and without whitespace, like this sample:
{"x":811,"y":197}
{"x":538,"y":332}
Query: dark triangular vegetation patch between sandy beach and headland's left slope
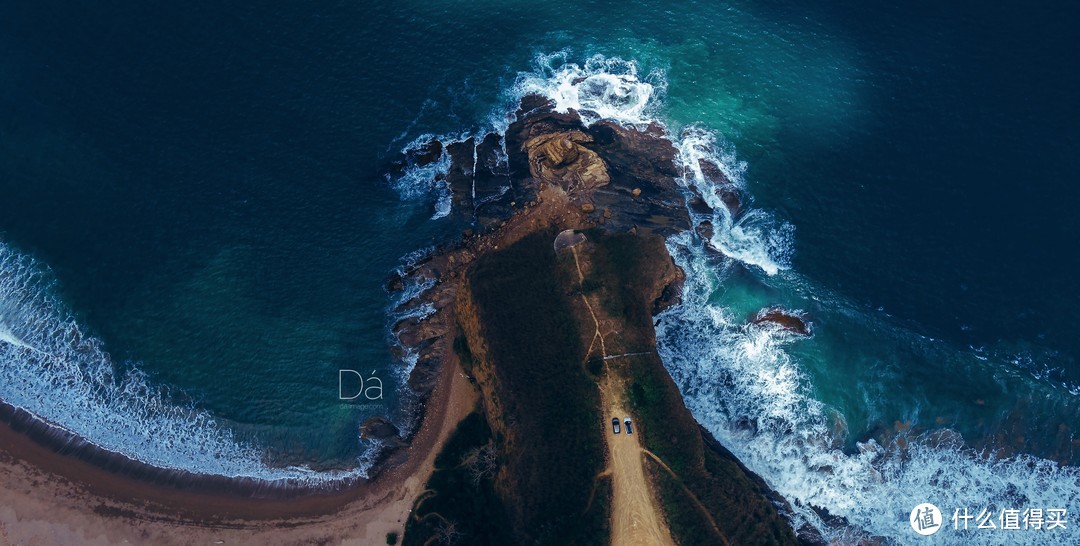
{"x":460,"y":504}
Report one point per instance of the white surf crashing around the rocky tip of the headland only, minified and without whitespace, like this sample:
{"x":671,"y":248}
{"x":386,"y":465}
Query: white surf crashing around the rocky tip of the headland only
{"x":613,"y":89}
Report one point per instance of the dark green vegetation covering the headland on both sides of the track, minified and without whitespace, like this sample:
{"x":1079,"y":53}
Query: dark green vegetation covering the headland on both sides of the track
{"x":546,"y":417}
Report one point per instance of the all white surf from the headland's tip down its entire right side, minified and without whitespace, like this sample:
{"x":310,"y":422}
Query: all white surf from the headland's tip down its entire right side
{"x":741,"y":383}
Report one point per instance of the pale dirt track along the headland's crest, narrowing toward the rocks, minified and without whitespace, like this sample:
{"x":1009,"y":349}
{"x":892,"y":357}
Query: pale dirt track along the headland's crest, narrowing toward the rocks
{"x":636,"y":516}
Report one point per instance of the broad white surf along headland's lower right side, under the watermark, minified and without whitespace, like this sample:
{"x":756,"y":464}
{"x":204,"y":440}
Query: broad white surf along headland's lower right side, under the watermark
{"x":741,"y":384}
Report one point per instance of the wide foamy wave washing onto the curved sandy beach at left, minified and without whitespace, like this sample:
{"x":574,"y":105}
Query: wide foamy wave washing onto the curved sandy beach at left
{"x":53,"y":370}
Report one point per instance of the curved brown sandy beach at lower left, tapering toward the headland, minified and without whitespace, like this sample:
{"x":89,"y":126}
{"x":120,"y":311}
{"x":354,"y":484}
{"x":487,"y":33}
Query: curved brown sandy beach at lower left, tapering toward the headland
{"x":47,"y":496}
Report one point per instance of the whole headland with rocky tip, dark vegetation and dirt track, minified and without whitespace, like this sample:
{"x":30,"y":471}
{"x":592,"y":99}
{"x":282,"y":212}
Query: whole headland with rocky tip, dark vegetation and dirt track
{"x":548,"y":306}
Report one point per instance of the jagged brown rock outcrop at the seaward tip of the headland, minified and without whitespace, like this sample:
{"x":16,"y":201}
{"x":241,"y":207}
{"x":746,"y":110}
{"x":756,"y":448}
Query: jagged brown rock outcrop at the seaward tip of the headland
{"x":629,"y":173}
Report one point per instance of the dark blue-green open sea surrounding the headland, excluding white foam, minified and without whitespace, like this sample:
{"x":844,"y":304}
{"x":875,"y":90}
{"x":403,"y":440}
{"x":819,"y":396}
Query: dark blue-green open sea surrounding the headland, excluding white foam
{"x":206,"y":184}
